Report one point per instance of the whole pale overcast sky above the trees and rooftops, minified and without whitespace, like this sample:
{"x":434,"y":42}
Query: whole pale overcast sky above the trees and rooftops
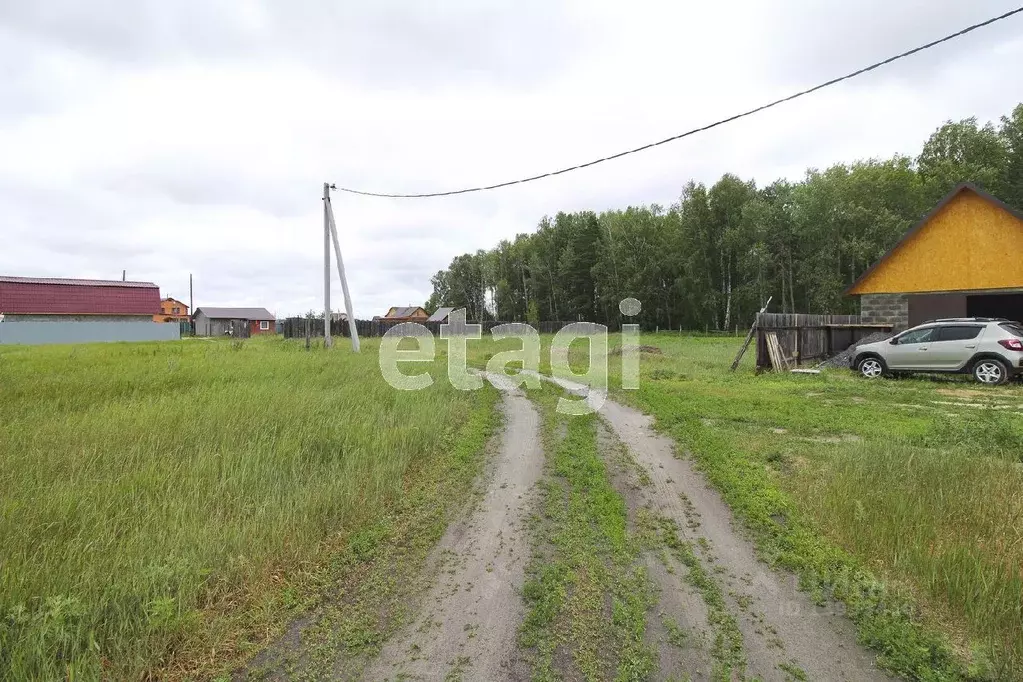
{"x":194,"y":137}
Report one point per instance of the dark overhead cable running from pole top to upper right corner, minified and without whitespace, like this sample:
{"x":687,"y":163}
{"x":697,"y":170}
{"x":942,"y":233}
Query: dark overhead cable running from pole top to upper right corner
{"x":689,"y":133}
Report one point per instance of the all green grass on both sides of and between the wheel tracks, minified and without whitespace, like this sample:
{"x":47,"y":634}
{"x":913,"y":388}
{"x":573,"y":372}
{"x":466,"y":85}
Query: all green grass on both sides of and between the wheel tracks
{"x":168,"y":508}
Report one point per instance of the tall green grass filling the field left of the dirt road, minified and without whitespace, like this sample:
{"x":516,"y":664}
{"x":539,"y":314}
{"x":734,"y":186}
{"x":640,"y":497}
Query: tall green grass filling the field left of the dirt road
{"x":144,"y":486}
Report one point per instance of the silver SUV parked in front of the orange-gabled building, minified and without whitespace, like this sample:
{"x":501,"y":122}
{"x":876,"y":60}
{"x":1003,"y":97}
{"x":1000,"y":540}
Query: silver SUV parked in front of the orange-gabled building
{"x":990,"y":349}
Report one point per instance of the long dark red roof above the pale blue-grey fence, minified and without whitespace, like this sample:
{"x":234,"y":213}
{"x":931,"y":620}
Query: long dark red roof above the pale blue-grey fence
{"x":30,"y":296}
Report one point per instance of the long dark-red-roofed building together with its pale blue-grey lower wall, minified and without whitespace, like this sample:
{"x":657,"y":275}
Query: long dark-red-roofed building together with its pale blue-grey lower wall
{"x":53,"y":310}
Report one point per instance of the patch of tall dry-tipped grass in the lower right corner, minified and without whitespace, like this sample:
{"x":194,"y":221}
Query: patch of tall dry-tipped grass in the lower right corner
{"x":951,"y":526}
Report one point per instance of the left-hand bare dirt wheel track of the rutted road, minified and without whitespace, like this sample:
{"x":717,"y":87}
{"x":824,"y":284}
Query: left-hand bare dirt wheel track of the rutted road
{"x":470,"y":620}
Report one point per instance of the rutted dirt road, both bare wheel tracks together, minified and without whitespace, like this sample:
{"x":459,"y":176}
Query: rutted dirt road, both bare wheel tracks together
{"x":718,"y":612}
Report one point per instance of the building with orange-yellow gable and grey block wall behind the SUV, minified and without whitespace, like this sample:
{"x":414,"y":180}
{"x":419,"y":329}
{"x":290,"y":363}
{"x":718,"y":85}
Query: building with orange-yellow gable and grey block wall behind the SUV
{"x":964,"y":259}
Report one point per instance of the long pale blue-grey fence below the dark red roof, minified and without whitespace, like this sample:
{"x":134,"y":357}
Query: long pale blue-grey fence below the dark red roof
{"x":34,"y":333}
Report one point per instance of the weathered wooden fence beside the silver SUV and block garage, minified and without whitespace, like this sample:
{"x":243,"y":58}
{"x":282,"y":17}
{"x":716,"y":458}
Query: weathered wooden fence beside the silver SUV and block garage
{"x":811,"y":338}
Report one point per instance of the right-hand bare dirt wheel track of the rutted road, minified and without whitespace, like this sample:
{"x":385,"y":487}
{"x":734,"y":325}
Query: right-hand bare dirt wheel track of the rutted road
{"x":782,"y":628}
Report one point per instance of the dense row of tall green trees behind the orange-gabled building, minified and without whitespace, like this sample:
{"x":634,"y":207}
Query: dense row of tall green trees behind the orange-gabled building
{"x":711,"y":260}
